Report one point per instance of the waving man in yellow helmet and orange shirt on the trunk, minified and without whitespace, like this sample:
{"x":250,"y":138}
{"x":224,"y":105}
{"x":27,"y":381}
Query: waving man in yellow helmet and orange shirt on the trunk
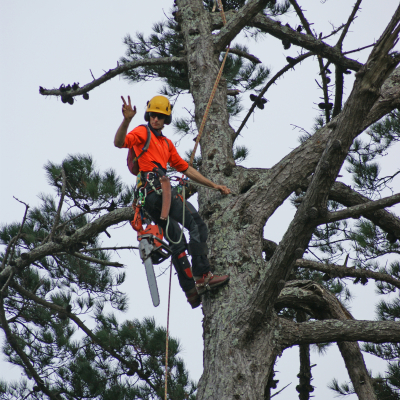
{"x":153,"y":165}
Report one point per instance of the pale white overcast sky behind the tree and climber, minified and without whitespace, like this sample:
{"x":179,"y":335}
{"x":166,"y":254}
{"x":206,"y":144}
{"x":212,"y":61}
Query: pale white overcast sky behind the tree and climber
{"x":46,"y":43}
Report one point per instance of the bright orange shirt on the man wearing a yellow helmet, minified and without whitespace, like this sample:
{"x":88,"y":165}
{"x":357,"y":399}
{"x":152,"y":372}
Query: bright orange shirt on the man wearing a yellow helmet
{"x":161,"y":150}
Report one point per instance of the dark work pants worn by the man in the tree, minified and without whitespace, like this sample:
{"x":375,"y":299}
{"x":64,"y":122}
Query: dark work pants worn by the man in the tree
{"x":197,"y":232}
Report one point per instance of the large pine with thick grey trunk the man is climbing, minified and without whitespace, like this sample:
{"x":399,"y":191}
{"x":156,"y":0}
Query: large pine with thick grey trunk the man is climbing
{"x":294,"y":292}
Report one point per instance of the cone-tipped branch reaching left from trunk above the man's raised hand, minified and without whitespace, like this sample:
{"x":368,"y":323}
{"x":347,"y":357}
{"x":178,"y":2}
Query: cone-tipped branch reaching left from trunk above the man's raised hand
{"x":111,"y":74}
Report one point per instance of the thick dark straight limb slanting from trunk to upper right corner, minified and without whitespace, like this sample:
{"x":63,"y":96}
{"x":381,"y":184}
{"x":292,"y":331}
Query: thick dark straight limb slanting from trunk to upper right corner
{"x":300,"y":231}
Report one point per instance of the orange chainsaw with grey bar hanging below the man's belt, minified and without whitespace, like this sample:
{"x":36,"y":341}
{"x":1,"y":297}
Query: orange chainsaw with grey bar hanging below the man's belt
{"x":152,"y":250}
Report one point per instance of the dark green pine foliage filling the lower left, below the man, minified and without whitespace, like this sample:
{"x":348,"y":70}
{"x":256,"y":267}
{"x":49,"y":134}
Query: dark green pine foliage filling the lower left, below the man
{"x":44,"y":305}
